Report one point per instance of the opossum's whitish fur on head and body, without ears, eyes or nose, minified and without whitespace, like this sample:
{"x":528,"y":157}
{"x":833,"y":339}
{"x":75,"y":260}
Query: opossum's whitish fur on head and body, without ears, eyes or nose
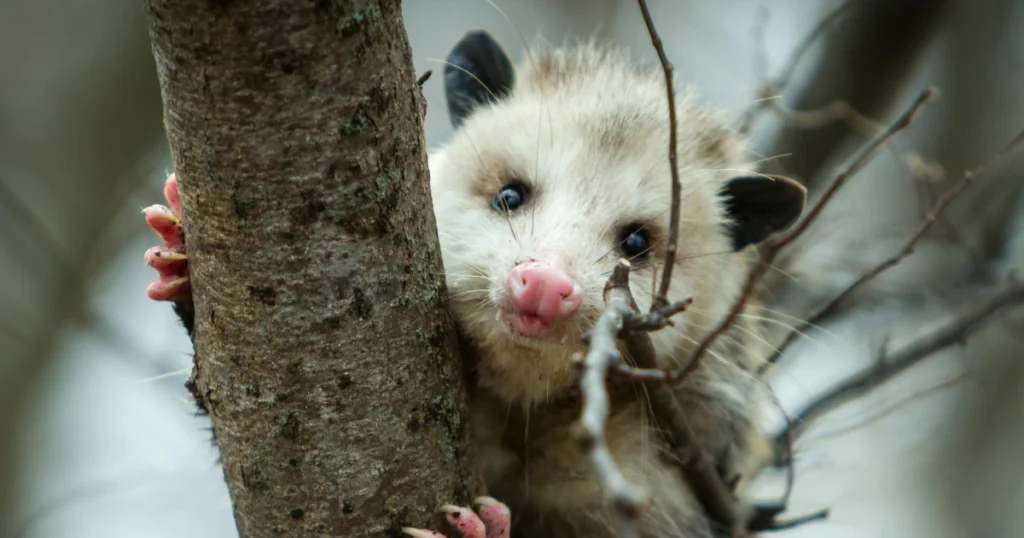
{"x":589,"y":133}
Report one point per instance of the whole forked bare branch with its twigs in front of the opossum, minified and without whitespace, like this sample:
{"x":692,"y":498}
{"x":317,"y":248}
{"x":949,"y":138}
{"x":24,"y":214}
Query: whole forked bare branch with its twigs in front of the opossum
{"x":621,"y":321}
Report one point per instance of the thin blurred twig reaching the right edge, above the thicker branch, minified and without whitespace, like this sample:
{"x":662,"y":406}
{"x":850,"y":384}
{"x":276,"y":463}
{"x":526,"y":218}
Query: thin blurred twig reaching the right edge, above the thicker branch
{"x":955,"y":190}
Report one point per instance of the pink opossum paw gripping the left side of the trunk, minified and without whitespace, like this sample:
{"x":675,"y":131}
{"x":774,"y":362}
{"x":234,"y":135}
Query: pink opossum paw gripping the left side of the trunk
{"x":169,"y":260}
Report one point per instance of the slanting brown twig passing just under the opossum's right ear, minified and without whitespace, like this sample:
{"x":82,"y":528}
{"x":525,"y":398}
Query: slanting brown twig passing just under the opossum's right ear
{"x":779,"y":241}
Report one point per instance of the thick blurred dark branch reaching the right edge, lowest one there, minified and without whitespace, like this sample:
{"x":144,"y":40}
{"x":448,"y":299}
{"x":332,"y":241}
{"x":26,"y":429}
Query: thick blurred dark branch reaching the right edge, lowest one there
{"x":891,"y":365}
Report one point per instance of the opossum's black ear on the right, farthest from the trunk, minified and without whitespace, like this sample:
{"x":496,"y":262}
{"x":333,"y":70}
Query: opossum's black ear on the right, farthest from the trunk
{"x":760,"y":205}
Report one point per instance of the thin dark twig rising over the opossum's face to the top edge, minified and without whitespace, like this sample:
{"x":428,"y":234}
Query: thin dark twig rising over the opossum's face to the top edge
{"x":670,"y":253}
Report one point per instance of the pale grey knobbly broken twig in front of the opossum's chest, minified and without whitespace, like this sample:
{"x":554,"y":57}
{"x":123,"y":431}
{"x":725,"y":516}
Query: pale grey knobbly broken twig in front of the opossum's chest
{"x":626,"y":500}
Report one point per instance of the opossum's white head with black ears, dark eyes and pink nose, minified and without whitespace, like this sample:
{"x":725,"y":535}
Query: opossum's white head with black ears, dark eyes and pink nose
{"x":559,"y":170}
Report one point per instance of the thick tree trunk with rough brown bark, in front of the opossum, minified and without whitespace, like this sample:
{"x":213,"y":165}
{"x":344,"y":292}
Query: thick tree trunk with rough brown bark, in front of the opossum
{"x":325,"y":352}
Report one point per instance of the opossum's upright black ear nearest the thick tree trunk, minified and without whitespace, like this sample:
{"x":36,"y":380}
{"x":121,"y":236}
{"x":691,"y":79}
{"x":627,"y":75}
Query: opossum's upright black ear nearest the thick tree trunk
{"x":478,"y":71}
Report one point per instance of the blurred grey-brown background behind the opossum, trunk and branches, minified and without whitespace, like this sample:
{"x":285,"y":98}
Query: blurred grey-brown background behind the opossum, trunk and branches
{"x":99,"y":435}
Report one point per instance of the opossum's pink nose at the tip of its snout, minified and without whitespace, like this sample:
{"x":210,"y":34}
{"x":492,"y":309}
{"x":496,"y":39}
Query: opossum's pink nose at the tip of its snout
{"x":544,"y":293}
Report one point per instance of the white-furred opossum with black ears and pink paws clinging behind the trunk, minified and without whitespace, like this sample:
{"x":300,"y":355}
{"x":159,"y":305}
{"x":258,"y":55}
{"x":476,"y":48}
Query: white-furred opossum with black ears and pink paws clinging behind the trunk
{"x":556,"y":172}
